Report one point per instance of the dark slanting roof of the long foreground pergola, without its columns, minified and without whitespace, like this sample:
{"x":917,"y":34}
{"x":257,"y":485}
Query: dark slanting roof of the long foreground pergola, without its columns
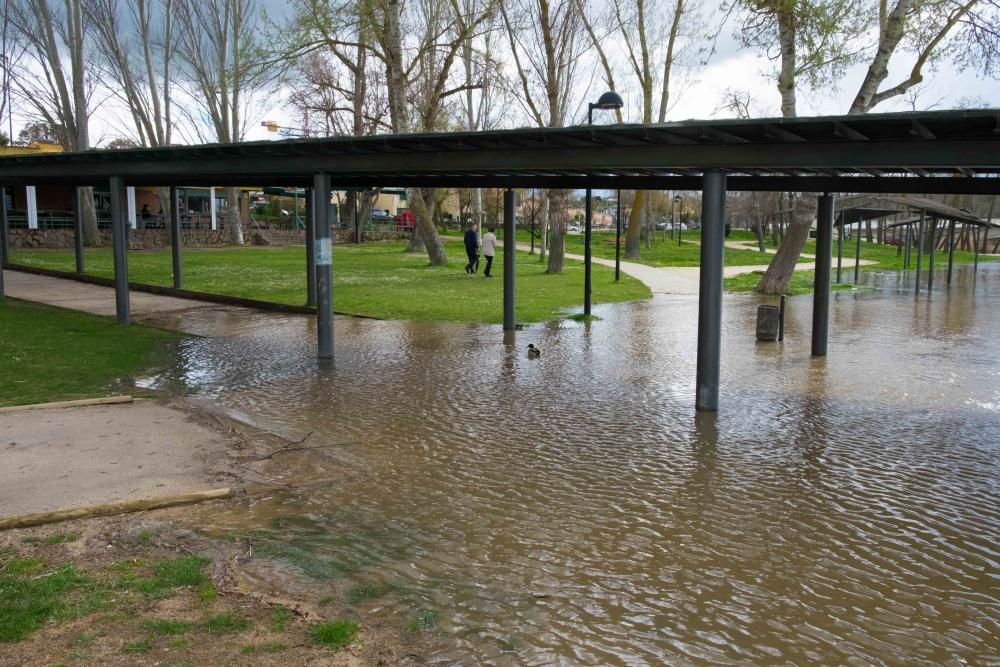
{"x":952,"y":151}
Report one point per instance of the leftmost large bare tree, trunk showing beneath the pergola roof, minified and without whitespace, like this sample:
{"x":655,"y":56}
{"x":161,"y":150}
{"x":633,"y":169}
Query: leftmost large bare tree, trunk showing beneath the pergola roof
{"x":46,"y":89}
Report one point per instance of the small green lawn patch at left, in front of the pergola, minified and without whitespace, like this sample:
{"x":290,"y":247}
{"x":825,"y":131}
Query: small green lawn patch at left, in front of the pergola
{"x":51,"y":354}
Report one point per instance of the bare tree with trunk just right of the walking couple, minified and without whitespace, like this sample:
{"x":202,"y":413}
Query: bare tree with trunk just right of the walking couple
{"x":546,"y":41}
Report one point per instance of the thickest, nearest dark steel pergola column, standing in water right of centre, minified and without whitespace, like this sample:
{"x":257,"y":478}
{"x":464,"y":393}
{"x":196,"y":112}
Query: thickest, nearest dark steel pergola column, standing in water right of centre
{"x":713,"y":237}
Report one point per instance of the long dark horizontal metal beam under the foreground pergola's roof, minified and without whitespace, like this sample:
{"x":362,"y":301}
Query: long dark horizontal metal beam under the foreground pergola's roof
{"x":841,"y":155}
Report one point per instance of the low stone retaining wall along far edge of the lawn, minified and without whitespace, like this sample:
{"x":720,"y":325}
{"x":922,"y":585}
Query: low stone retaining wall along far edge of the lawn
{"x":151,"y":239}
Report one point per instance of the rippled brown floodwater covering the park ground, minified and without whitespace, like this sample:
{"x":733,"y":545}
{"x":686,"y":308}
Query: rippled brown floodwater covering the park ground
{"x":574,"y":509}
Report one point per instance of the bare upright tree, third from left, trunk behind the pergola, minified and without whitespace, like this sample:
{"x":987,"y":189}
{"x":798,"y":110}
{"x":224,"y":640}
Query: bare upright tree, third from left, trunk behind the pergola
{"x":218,"y":44}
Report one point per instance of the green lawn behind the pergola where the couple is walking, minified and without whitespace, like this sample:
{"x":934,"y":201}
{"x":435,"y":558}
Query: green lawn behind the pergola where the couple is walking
{"x":376,"y":280}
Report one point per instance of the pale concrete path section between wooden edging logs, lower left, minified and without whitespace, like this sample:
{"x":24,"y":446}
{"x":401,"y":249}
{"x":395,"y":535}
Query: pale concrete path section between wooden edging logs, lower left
{"x":76,"y":457}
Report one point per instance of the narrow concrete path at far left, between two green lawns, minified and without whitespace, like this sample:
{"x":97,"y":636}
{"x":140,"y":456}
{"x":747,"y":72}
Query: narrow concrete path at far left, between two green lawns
{"x":89,"y":298}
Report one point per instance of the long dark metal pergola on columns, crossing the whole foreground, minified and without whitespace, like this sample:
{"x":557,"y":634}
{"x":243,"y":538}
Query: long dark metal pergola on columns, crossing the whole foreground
{"x":928,"y":152}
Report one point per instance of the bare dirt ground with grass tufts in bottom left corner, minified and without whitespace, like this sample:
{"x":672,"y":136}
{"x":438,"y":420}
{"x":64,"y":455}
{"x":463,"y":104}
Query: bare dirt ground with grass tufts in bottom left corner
{"x":117,"y":631}
